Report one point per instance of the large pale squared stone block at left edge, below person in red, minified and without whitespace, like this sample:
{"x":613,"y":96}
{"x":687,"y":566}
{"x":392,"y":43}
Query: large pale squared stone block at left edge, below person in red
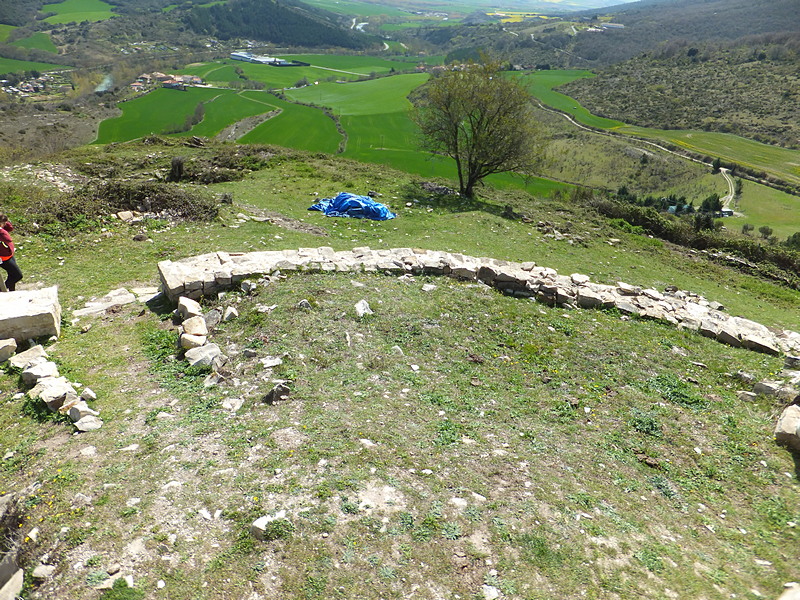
{"x":30,"y":314}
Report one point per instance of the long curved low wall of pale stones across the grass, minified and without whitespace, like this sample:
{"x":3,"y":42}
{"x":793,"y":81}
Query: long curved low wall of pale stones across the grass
{"x":208,"y":274}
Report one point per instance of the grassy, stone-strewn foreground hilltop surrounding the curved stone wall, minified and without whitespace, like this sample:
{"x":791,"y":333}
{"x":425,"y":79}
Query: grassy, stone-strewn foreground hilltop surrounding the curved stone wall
{"x":455,"y":442}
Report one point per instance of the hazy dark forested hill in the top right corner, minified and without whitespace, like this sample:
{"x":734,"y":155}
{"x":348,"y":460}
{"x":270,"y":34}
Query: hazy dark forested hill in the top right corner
{"x":650,"y":22}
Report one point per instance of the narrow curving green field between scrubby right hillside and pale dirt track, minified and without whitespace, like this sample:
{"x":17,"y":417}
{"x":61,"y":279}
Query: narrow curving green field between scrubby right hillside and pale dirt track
{"x":780,"y":162}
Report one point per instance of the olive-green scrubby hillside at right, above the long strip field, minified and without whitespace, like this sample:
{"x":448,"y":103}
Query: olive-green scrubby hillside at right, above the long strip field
{"x":749,"y":88}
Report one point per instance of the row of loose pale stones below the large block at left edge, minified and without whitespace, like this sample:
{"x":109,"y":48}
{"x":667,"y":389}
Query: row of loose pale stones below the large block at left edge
{"x":46,"y":384}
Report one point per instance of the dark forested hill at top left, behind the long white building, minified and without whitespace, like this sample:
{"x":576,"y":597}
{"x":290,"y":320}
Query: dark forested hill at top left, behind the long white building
{"x":284,"y":23}
